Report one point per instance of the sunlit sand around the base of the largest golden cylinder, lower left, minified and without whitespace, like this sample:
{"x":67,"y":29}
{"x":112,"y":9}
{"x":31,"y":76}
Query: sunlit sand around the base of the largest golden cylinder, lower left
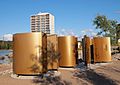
{"x":6,"y":79}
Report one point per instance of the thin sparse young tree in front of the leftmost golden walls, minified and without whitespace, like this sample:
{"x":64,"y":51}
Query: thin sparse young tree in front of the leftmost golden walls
{"x":49,"y":56}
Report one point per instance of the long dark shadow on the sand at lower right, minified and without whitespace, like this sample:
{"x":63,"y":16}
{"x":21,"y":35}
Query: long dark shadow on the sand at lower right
{"x":95,"y":78}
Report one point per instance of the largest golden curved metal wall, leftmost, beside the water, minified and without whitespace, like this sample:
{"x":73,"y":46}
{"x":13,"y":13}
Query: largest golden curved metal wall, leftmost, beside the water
{"x":26,"y":47}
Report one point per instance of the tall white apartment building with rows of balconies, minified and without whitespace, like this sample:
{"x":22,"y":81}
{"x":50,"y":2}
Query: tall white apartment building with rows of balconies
{"x":42,"y":22}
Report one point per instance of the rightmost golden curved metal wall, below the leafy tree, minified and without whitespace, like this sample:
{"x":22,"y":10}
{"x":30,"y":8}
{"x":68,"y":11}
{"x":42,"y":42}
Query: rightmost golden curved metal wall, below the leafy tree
{"x":102,"y":49}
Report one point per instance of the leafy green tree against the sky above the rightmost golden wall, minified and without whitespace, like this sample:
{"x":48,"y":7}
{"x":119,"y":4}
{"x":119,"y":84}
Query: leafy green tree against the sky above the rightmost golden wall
{"x":107,"y":27}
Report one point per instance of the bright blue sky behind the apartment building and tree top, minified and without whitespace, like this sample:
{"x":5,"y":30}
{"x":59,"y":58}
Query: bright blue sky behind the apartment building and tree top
{"x":73,"y":15}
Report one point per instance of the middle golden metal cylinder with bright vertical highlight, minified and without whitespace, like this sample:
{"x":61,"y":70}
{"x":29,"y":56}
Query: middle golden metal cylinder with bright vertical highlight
{"x":68,"y":50}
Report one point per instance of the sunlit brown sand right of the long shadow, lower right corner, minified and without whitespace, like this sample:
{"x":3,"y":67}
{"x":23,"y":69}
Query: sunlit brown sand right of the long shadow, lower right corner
{"x":111,"y":71}
